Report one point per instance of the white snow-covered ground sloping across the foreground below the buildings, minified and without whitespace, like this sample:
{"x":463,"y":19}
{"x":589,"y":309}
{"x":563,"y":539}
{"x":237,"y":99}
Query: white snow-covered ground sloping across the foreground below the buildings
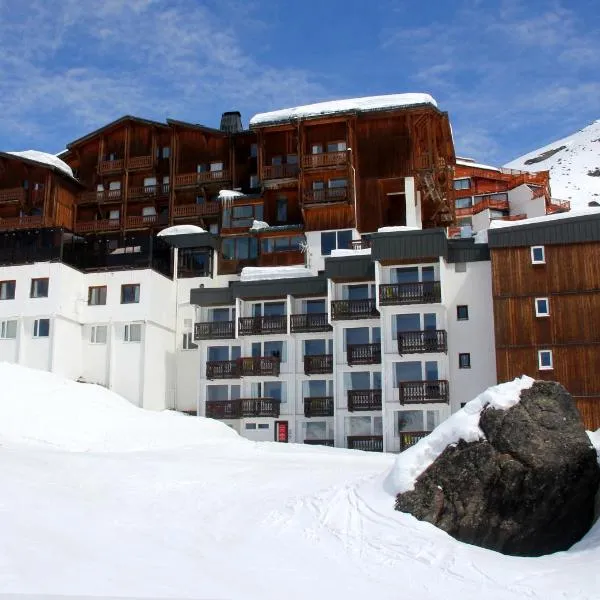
{"x":100,"y":498}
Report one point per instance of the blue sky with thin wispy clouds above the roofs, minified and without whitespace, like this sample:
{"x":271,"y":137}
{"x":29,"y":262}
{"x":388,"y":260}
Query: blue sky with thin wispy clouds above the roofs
{"x":513,"y":74}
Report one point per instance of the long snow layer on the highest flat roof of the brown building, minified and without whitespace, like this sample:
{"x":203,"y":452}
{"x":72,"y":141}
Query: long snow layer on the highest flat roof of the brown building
{"x":367,"y":104}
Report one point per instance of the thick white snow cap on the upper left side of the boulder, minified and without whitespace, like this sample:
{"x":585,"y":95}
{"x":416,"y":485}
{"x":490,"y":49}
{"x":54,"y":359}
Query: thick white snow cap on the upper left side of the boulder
{"x":463,"y":424}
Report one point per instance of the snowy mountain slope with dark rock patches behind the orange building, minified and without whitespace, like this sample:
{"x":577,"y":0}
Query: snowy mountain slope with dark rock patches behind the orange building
{"x":574,"y":165}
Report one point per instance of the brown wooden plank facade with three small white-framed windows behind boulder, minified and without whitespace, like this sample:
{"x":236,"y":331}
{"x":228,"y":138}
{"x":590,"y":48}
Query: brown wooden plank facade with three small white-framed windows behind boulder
{"x":570,"y":280}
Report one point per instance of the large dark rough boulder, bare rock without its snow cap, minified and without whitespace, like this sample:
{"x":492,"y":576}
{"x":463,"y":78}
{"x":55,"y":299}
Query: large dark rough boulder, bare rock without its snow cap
{"x":526,"y":490}
